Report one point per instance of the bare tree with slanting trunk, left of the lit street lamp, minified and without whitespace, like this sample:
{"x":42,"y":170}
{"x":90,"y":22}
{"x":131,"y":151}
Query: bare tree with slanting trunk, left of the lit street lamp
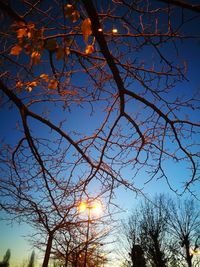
{"x":47,"y":207}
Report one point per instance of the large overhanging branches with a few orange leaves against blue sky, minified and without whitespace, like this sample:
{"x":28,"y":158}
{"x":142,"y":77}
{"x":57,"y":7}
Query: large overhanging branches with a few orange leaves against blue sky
{"x":119,"y":61}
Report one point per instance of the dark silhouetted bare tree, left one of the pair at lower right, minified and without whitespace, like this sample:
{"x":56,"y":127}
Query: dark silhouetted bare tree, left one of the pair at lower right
{"x":147,"y":234}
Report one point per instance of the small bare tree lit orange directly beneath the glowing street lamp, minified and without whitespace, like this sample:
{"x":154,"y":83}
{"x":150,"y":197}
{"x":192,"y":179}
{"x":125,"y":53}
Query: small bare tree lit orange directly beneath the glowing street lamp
{"x":73,"y":243}
